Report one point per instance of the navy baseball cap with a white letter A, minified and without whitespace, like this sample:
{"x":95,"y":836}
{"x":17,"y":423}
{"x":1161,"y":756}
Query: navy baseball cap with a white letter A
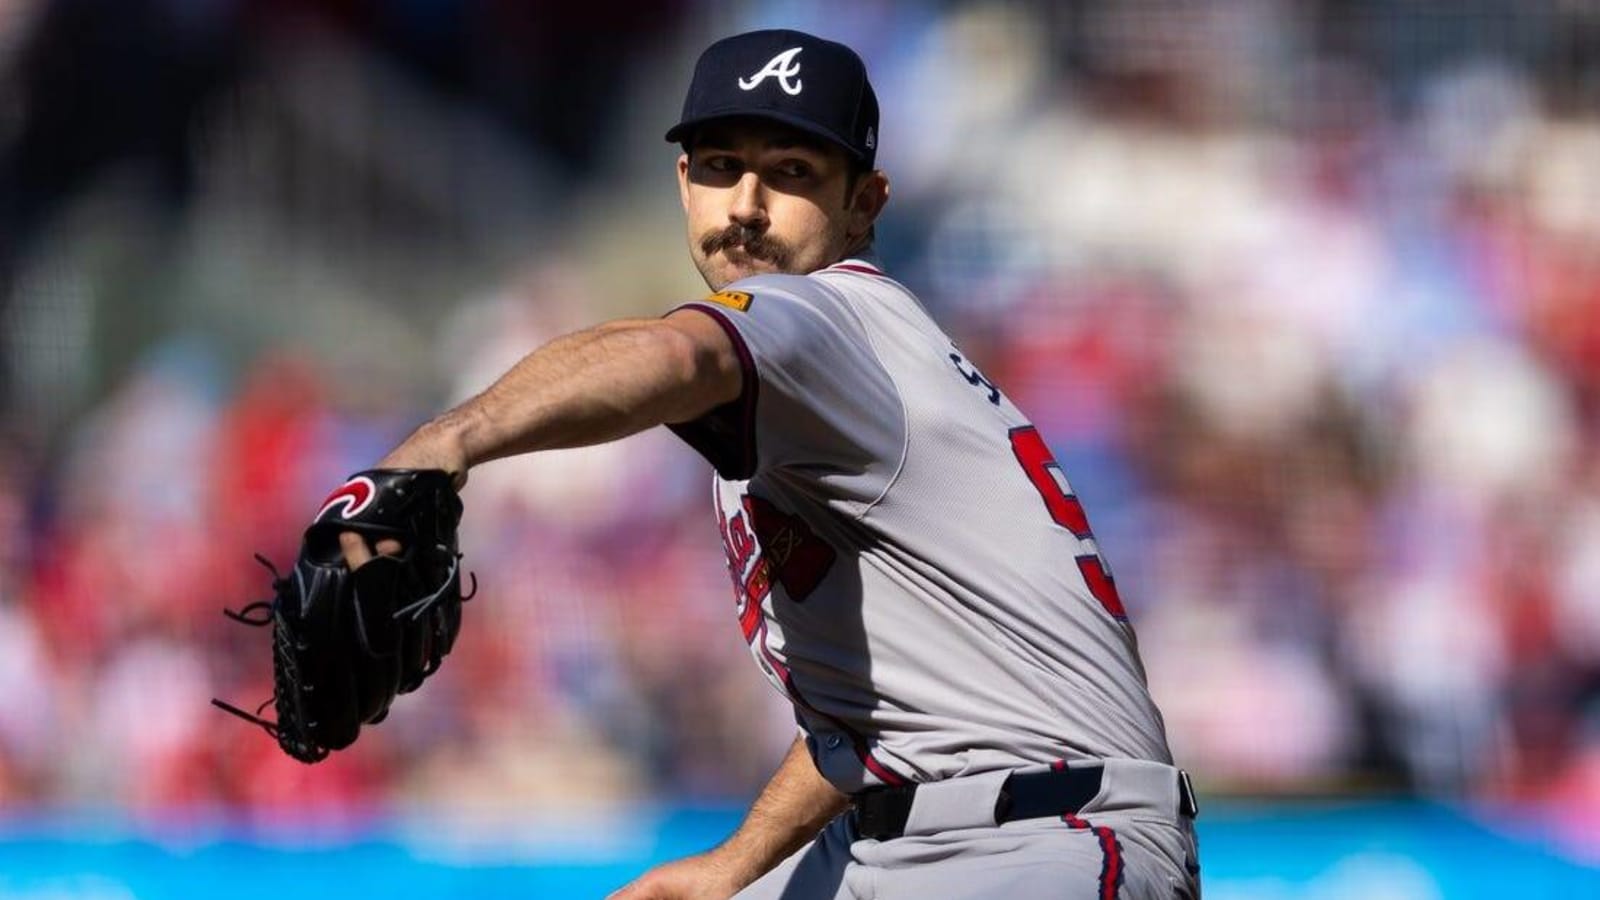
{"x":786,"y":76}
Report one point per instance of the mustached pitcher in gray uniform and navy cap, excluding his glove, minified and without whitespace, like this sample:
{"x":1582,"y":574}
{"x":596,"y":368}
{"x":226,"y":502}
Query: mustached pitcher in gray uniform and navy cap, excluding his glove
{"x":911,"y":566}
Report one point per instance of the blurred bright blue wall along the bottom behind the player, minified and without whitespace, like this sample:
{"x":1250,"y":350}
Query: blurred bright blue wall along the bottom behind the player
{"x":1374,"y":851}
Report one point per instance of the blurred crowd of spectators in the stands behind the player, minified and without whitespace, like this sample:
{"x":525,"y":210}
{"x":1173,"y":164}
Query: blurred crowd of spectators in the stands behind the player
{"x":1305,"y":295}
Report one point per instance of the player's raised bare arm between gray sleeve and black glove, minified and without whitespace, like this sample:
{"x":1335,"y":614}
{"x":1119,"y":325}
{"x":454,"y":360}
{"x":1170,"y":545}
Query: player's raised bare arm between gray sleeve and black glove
{"x":586,"y":388}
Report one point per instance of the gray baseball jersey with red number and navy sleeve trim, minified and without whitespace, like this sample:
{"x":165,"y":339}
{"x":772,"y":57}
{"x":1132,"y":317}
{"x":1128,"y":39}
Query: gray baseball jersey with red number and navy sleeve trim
{"x":910,"y":563}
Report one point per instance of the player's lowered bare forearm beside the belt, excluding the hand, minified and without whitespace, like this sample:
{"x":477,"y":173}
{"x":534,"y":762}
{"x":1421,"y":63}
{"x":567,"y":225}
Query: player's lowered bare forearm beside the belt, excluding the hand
{"x":793,"y":808}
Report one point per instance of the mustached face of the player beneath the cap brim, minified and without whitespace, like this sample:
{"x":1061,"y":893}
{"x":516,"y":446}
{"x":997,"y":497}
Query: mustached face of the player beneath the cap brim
{"x":764,"y":198}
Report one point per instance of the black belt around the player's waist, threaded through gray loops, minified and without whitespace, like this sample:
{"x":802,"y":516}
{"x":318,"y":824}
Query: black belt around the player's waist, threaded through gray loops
{"x":882,"y":813}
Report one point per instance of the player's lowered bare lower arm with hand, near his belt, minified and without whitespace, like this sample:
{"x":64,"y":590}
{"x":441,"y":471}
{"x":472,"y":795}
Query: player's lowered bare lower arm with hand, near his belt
{"x":793,"y":808}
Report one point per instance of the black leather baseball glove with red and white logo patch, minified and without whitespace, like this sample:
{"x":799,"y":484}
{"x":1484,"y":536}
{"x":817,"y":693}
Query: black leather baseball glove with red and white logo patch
{"x":346,"y":643}
